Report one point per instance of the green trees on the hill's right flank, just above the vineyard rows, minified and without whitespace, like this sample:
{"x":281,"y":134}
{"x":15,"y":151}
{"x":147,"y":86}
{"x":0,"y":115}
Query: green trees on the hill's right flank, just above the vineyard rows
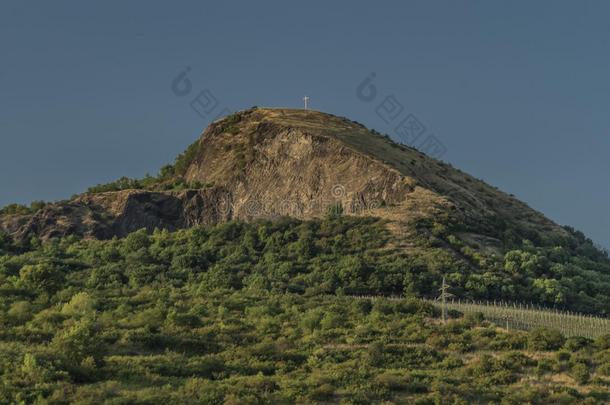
{"x":564,"y":271}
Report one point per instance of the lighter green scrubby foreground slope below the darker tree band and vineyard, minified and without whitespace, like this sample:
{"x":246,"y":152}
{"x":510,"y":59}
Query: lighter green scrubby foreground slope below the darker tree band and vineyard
{"x":251,"y":347}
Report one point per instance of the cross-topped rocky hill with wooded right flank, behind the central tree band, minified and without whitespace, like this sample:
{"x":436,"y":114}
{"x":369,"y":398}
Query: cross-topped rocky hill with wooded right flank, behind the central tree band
{"x":272,"y":163}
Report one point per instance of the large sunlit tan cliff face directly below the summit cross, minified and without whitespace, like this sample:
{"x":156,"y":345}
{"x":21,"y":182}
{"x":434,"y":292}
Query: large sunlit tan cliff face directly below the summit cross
{"x":281,"y":170}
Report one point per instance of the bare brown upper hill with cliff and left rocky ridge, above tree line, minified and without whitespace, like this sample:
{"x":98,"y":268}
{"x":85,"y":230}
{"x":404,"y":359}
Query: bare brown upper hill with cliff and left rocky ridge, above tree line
{"x":265,"y":163}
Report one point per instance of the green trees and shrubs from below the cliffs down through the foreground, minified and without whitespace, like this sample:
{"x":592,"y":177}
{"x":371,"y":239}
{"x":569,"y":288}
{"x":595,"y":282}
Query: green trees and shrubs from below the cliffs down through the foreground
{"x":245,"y":313}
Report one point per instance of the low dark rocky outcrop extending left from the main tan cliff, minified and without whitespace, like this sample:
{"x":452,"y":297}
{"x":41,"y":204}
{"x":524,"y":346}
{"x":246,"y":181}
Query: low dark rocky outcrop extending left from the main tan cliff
{"x":105,"y":215}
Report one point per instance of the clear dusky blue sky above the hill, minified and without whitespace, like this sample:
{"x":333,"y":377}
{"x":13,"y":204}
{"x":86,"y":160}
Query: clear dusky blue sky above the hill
{"x":518,"y":92}
